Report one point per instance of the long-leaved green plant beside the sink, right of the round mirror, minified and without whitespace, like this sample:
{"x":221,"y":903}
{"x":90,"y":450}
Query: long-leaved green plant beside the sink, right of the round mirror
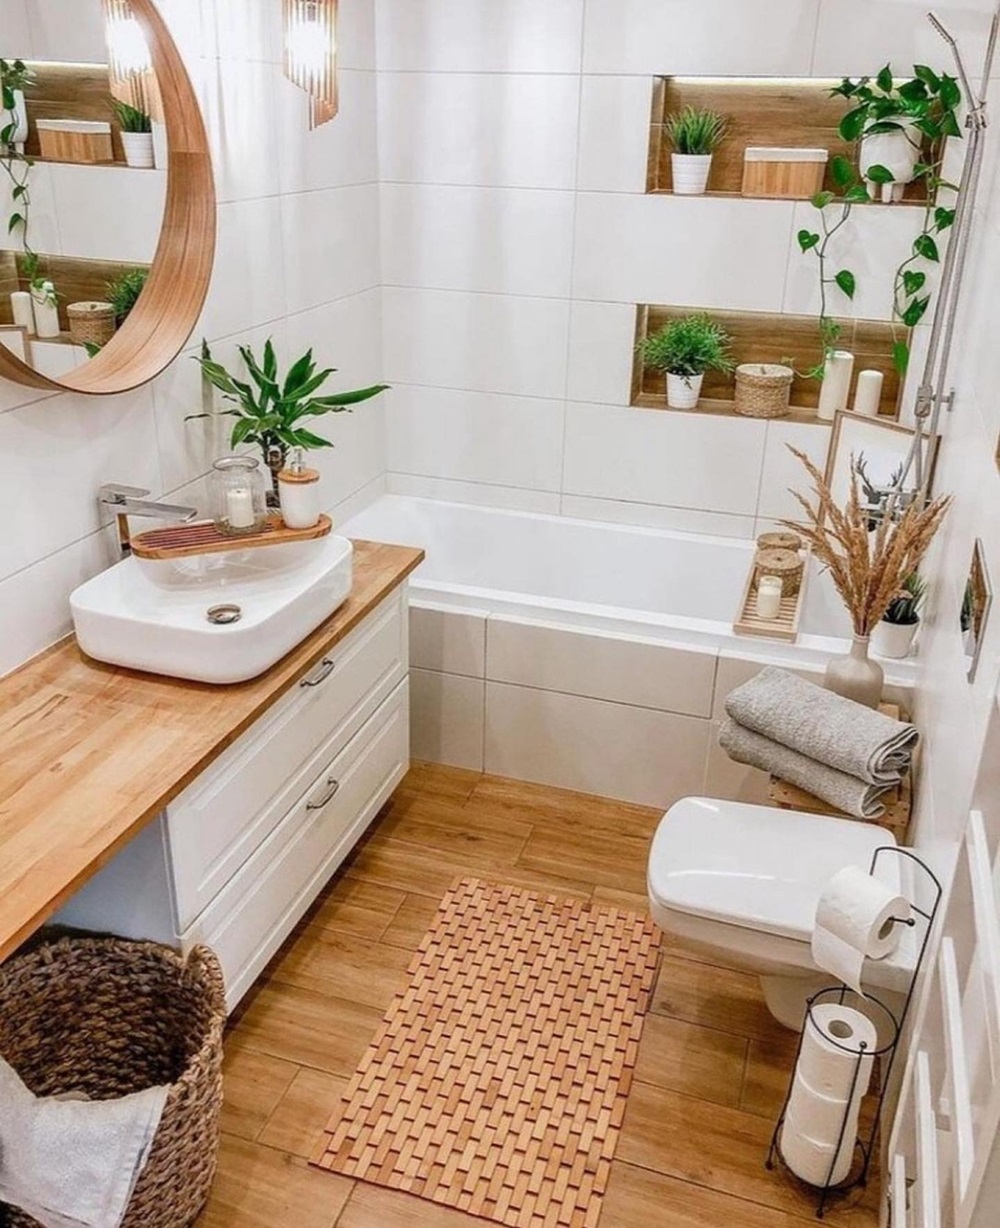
{"x":272,"y":411}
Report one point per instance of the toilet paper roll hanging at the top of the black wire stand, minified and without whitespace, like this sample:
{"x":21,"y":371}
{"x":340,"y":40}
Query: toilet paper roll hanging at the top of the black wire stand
{"x":854,"y":924}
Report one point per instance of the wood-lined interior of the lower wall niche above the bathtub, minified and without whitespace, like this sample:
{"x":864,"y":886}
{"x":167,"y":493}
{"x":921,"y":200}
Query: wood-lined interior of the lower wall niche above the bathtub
{"x":764,"y":337}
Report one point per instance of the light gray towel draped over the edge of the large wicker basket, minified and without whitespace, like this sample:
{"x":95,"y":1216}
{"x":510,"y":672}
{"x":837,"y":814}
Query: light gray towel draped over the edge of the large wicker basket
{"x":74,"y":1164}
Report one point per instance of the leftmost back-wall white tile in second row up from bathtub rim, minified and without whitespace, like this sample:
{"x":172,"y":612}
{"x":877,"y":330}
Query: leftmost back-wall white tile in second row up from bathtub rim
{"x":509,"y":441}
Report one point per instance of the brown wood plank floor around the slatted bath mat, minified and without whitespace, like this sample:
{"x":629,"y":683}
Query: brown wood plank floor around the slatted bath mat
{"x":713,"y":1064}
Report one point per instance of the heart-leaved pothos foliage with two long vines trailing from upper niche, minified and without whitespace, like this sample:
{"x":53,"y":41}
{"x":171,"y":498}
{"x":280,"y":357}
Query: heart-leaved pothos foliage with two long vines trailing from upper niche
{"x":927,"y":104}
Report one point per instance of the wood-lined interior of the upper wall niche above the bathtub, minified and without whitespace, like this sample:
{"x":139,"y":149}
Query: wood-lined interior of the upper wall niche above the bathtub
{"x":788,"y":112}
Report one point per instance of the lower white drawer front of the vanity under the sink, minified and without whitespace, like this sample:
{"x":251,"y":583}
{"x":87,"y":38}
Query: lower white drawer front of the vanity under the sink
{"x":248,"y":923}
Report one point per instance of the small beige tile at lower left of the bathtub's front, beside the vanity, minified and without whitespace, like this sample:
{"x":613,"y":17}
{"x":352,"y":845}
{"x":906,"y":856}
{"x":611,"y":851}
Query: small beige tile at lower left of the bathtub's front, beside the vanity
{"x":447,"y":719}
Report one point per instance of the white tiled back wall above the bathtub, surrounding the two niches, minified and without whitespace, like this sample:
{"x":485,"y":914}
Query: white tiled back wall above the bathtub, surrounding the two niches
{"x":518,"y":239}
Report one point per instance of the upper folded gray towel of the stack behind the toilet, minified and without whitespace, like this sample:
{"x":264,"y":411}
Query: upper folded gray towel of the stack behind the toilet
{"x":825,"y":728}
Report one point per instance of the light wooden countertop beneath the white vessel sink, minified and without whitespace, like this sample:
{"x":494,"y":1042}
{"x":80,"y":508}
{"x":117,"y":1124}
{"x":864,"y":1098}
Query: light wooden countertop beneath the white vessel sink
{"x":92,"y":753}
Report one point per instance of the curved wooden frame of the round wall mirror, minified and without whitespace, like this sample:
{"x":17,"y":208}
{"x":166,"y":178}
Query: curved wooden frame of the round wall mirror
{"x":169,"y":309}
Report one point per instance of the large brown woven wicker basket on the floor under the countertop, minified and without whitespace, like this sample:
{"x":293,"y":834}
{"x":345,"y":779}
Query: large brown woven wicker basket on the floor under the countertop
{"x":110,"y":1017}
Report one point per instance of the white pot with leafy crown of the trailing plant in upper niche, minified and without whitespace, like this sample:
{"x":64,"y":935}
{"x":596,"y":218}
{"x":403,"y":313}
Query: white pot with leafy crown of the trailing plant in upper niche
{"x":895,"y":121}
